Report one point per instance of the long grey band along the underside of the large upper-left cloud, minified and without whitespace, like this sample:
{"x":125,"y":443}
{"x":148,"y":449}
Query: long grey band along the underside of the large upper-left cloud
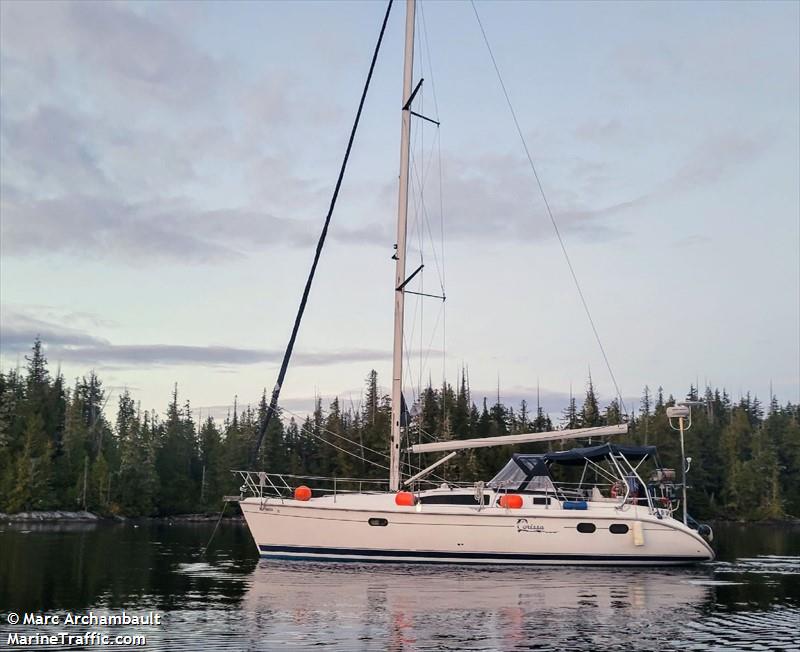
{"x":133,"y":232}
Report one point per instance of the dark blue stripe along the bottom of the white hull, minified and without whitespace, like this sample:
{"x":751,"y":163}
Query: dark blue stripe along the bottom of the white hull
{"x":421,"y":556}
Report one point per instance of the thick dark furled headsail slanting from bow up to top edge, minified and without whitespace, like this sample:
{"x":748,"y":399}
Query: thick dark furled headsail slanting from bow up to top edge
{"x":273,"y":405}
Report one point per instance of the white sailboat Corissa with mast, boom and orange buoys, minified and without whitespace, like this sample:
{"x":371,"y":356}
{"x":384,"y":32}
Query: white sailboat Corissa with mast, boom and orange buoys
{"x":614,"y":514}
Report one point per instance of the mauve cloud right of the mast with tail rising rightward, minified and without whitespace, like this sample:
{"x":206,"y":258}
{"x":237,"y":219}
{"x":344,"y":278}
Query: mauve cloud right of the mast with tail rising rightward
{"x":495,"y":197}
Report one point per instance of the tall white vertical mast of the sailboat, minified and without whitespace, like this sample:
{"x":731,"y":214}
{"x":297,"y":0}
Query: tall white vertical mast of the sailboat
{"x":400,"y":254}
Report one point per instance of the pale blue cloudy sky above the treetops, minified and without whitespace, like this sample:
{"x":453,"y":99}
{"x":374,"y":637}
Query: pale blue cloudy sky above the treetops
{"x":165,"y":170}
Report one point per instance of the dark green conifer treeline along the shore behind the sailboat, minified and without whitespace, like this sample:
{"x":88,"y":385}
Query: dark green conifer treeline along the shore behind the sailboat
{"x":58,"y":450}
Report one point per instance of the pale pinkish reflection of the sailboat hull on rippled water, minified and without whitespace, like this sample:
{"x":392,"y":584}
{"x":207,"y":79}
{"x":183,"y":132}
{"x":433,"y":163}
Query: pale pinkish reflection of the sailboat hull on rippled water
{"x":500,"y":608}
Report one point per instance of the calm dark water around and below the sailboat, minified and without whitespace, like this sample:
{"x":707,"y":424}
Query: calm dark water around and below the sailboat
{"x":749,"y":599}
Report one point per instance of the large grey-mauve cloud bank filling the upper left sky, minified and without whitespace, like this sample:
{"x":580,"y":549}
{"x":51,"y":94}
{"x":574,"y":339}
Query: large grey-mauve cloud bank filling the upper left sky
{"x":125,"y":141}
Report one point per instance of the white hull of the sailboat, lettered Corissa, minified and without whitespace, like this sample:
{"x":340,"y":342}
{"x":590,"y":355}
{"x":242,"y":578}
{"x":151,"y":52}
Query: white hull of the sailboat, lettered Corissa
{"x":339,"y":528}
